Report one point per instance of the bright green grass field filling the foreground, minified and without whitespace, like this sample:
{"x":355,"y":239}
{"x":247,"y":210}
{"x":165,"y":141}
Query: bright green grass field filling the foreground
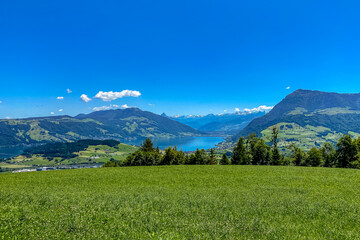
{"x":182,"y":202}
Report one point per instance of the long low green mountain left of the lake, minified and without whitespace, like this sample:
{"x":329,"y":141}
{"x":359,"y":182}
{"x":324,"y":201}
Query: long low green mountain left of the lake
{"x":118,"y":124}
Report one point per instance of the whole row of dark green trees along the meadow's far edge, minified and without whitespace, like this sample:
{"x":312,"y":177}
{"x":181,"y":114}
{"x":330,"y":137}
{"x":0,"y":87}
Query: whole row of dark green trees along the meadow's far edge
{"x":251,"y":151}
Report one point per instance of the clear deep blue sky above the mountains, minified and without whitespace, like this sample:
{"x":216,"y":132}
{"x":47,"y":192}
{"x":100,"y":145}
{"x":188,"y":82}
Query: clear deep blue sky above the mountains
{"x":184,"y":57}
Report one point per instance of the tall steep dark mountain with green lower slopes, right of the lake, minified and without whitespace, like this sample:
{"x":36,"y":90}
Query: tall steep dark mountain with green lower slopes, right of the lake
{"x":312,"y":115}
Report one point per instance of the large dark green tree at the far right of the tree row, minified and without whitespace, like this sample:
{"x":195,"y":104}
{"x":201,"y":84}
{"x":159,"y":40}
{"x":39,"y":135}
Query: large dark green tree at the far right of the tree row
{"x":346,"y":151}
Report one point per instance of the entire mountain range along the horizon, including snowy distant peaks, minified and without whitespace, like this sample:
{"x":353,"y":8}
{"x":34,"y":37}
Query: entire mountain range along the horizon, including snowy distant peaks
{"x":308,"y":118}
